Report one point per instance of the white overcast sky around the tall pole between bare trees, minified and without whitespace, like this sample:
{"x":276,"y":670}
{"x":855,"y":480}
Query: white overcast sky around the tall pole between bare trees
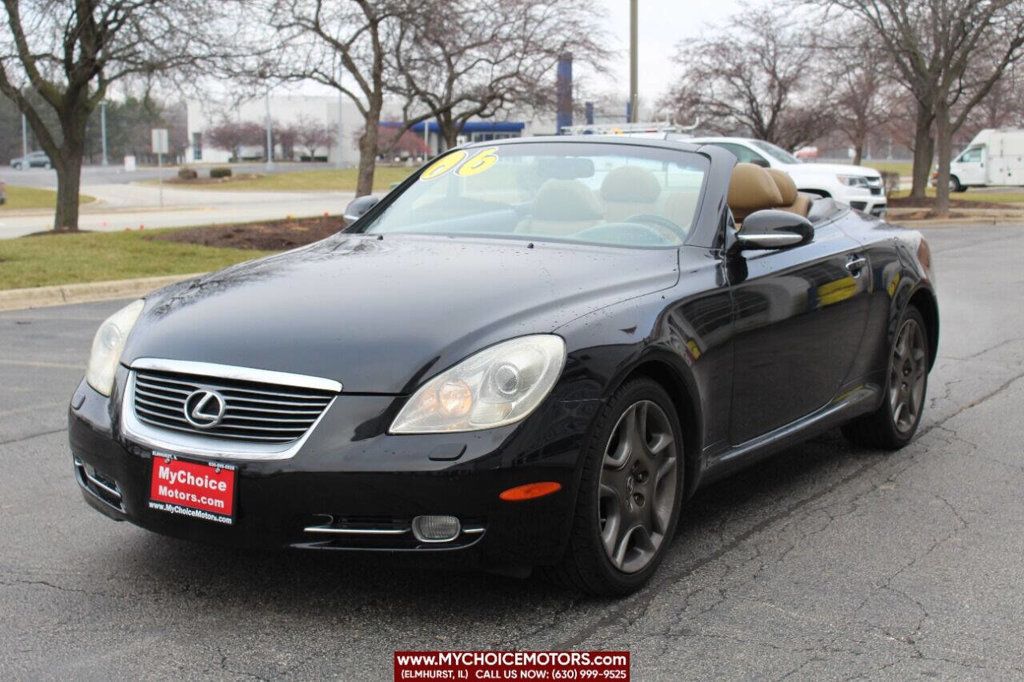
{"x":663,"y":25}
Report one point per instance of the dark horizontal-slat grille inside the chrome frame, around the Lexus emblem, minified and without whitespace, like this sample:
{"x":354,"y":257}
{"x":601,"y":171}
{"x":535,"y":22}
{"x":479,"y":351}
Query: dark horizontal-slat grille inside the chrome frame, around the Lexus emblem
{"x":254,"y":412}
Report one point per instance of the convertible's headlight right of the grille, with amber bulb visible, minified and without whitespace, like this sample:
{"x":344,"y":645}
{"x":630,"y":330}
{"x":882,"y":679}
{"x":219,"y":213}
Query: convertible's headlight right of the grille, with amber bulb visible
{"x":497,"y":387}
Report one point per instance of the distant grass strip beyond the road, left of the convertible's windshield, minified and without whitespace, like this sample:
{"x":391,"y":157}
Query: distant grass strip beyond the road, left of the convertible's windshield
{"x":322,"y":180}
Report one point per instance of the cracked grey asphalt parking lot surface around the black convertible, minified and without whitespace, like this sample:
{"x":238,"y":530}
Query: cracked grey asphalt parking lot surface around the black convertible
{"x":827,"y":563}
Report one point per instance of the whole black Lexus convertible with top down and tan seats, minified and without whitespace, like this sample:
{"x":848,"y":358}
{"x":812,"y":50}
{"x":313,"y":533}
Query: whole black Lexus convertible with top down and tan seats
{"x":530,"y":354}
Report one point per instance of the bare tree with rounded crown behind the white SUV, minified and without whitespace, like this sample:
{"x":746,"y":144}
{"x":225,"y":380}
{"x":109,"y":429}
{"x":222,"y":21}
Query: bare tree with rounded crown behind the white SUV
{"x":755,"y":78}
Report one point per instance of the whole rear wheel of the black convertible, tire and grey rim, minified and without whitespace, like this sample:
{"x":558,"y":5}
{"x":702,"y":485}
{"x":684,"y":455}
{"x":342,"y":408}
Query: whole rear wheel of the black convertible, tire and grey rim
{"x":895,"y":422}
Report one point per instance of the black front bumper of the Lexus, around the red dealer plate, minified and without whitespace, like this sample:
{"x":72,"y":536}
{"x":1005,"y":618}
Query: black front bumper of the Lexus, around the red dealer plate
{"x":351,"y":475}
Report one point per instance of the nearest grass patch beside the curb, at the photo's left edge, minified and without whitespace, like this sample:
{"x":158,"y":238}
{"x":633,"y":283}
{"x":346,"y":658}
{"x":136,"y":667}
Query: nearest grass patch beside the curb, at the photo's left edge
{"x":60,"y":260}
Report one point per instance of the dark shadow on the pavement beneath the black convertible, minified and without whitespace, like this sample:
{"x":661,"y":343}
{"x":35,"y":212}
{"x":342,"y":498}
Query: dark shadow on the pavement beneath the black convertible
{"x":309,"y":581}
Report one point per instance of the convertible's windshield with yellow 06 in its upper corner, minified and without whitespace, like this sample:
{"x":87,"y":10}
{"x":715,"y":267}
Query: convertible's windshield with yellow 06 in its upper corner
{"x":591,"y":193}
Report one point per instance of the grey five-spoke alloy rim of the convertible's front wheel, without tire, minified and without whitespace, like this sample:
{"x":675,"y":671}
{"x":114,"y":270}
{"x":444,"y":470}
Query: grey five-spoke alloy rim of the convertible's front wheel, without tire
{"x":638,"y":487}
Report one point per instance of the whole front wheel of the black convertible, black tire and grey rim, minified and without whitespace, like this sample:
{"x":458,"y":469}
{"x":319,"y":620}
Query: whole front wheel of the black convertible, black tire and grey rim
{"x":630,"y":495}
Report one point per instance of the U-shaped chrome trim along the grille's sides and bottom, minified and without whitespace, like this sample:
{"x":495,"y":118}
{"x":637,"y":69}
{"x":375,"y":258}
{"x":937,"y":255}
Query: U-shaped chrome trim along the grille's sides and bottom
{"x":180,"y":443}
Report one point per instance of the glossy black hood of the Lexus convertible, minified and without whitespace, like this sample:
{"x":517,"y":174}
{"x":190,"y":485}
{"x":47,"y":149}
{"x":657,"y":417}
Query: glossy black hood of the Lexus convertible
{"x":382,"y":315}
